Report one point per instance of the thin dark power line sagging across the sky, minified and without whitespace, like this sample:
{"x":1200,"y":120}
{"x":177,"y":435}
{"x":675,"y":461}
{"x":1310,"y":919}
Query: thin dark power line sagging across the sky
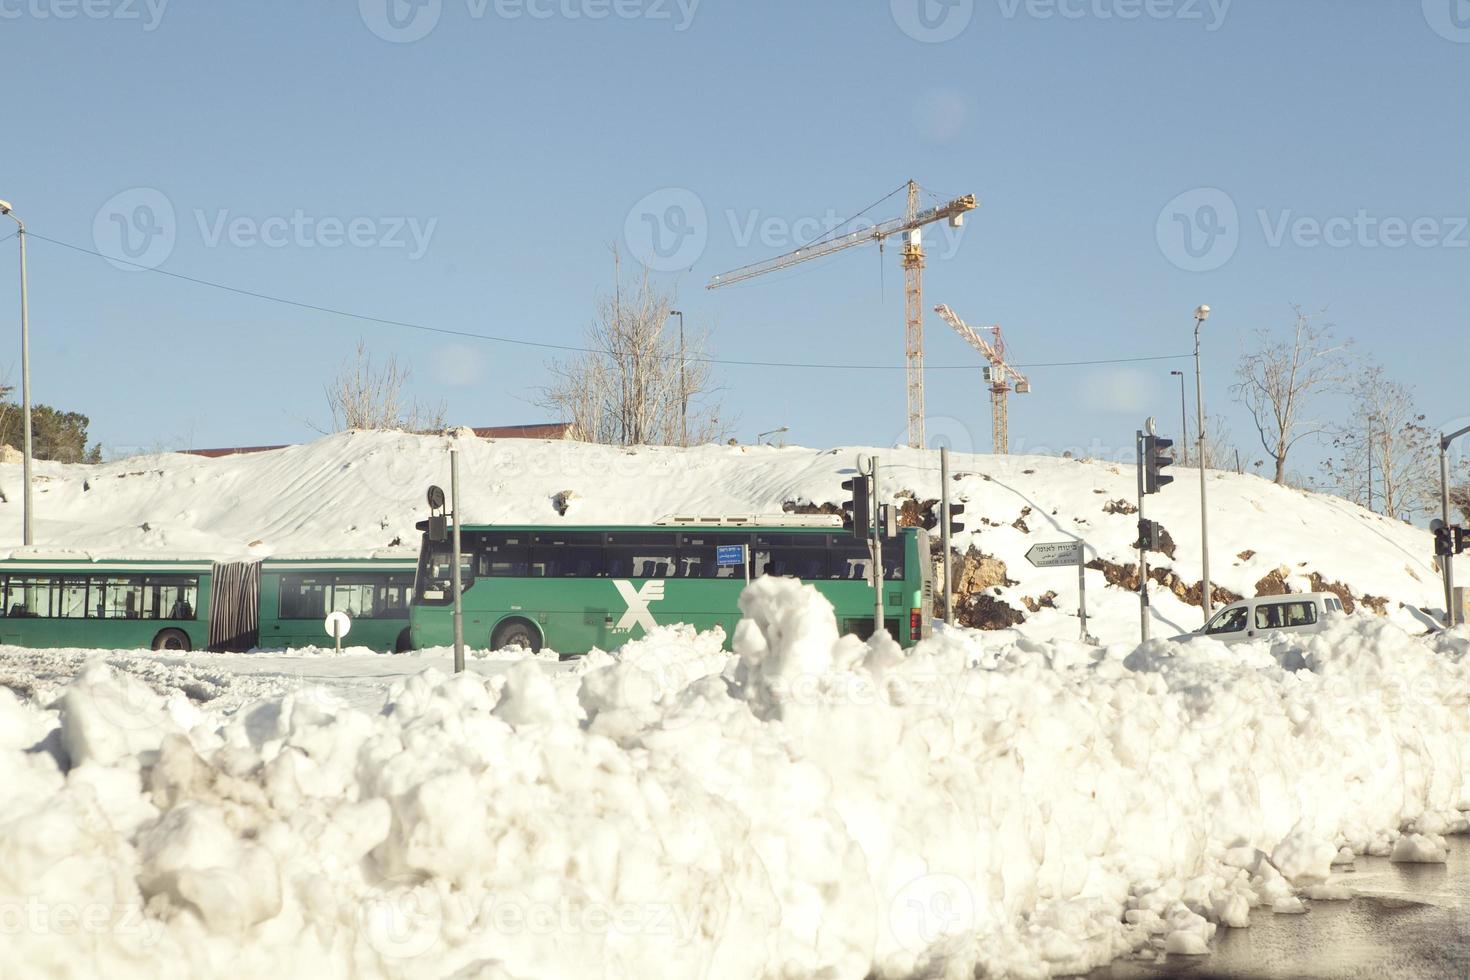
{"x":567,"y":349}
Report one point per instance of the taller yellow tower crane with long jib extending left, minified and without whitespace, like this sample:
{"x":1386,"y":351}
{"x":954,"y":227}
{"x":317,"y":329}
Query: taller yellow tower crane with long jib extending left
{"x":909,"y":227}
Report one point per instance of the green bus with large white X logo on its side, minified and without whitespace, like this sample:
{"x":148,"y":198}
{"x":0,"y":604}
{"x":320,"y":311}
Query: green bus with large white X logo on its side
{"x":577,"y":588}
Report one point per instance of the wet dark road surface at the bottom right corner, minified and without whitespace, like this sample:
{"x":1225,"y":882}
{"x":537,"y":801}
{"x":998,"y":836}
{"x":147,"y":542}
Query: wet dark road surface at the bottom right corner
{"x":1409,"y":922}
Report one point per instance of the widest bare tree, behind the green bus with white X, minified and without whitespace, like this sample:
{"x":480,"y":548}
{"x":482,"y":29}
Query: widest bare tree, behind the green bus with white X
{"x":631,"y":386}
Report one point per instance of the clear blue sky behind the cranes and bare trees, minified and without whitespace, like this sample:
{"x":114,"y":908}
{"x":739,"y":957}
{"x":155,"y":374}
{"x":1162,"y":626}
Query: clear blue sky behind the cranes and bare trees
{"x":474,"y":179}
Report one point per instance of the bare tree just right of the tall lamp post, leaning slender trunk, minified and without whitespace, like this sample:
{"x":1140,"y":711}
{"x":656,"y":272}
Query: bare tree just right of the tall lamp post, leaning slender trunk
{"x":1280,"y":381}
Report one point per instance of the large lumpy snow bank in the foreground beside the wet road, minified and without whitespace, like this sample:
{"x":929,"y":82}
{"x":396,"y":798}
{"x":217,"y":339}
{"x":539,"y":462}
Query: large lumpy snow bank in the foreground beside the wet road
{"x":811,"y":806}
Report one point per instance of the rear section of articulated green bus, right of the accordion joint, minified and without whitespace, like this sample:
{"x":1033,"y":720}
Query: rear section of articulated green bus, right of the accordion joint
{"x":298,"y":594}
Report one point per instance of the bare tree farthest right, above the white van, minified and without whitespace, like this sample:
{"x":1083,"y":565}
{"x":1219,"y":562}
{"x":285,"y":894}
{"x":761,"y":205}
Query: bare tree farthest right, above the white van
{"x":1402,"y":452}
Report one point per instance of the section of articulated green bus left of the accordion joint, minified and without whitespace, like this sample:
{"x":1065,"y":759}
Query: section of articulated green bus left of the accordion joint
{"x":110,"y":605}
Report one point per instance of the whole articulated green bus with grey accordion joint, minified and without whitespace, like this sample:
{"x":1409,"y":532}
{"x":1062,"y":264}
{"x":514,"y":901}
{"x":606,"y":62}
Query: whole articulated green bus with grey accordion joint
{"x":165,"y":605}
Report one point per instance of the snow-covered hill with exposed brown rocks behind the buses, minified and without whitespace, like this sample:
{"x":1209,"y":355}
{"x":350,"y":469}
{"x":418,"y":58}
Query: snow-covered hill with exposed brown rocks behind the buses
{"x":362,"y":493}
